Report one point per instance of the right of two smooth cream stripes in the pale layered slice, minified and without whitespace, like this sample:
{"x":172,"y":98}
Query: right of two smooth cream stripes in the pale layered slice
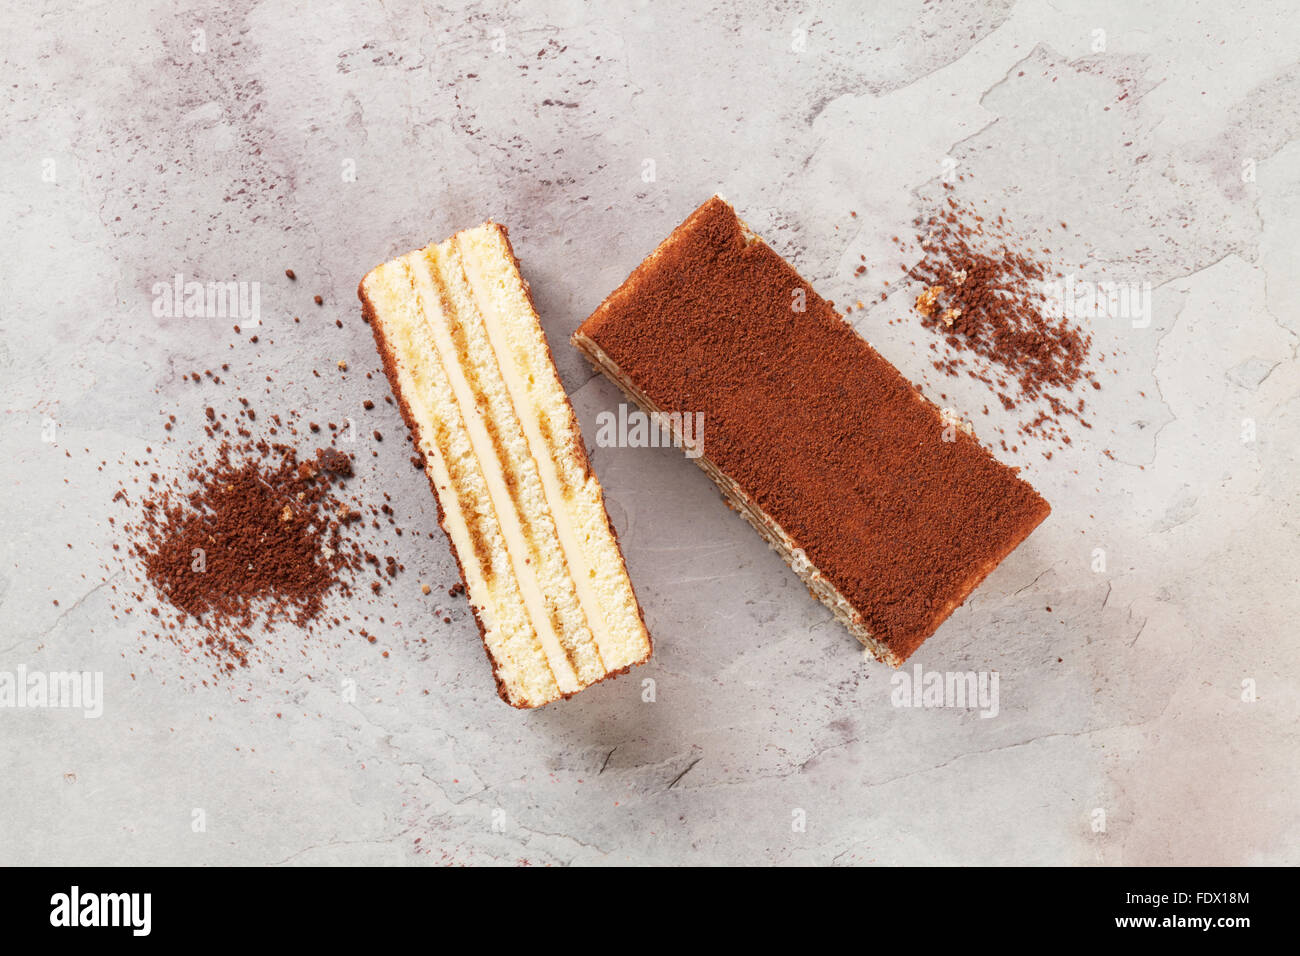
{"x":571,"y":544}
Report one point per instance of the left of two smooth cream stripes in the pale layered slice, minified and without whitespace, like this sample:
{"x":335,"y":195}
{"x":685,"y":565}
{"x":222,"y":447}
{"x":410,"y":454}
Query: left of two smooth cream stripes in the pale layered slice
{"x":493,"y":474}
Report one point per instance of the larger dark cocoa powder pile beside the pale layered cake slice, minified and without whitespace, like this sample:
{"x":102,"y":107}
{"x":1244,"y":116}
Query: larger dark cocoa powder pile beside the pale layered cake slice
{"x":249,"y":537}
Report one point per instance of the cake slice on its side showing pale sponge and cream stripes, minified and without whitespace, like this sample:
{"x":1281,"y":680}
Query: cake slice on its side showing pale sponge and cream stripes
{"x":469,"y":364}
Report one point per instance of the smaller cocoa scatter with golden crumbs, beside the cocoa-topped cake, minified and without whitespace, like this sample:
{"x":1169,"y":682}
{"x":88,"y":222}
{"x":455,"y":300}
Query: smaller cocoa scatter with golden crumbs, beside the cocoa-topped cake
{"x":982,"y":289}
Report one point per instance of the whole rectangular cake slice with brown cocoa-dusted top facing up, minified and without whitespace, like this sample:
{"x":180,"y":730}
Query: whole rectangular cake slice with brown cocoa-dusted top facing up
{"x":890,"y":513}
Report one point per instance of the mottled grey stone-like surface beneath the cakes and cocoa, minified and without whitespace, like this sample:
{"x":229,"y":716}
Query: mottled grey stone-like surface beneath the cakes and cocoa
{"x":137,"y":148}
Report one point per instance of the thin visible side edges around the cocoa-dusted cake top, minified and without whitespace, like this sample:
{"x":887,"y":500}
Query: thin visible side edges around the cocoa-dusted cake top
{"x":820,"y":587}
